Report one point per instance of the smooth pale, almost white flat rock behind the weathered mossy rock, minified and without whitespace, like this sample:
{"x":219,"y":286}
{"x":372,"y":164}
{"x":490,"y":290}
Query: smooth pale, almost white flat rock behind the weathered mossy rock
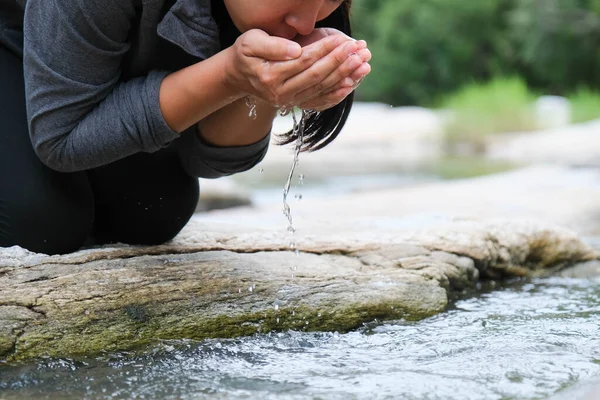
{"x":568,"y":197}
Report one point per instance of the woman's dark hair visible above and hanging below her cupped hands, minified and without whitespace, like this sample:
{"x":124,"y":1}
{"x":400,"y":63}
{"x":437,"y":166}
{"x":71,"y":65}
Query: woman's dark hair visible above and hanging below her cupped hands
{"x":323,"y":127}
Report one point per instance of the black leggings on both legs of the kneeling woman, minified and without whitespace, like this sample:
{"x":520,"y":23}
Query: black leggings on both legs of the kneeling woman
{"x":142,"y":199}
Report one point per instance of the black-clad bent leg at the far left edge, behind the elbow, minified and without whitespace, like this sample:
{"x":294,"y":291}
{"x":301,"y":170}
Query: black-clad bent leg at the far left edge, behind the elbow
{"x":40,"y":209}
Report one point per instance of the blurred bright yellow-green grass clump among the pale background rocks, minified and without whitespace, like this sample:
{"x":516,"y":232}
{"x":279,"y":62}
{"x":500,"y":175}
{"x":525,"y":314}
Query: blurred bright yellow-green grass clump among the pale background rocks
{"x":477,"y":110}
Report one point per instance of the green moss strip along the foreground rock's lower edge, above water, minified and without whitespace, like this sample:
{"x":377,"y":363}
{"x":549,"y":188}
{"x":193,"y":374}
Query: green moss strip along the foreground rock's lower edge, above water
{"x":89,"y":336}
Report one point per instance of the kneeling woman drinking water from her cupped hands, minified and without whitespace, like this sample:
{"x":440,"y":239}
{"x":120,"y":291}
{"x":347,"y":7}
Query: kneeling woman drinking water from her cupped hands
{"x":110,"y":109}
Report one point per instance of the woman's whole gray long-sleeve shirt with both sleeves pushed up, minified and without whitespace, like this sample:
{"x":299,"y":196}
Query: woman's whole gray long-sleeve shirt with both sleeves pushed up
{"x":93,"y":69}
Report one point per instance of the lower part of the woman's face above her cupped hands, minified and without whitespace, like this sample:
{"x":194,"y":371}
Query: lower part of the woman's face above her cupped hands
{"x":283,"y":18}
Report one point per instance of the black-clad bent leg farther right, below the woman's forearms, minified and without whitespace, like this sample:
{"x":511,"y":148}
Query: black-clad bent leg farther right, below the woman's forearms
{"x":143,"y":199}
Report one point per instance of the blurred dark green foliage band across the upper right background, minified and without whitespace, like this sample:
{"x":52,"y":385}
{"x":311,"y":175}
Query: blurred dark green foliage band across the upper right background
{"x":425,"y":48}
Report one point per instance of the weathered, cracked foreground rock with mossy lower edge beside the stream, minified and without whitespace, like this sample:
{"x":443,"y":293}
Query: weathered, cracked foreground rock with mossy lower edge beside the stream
{"x":219,"y":284}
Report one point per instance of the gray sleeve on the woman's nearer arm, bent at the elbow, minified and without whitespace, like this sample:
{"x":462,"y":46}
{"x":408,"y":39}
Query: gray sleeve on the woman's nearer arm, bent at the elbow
{"x":80,"y":114}
